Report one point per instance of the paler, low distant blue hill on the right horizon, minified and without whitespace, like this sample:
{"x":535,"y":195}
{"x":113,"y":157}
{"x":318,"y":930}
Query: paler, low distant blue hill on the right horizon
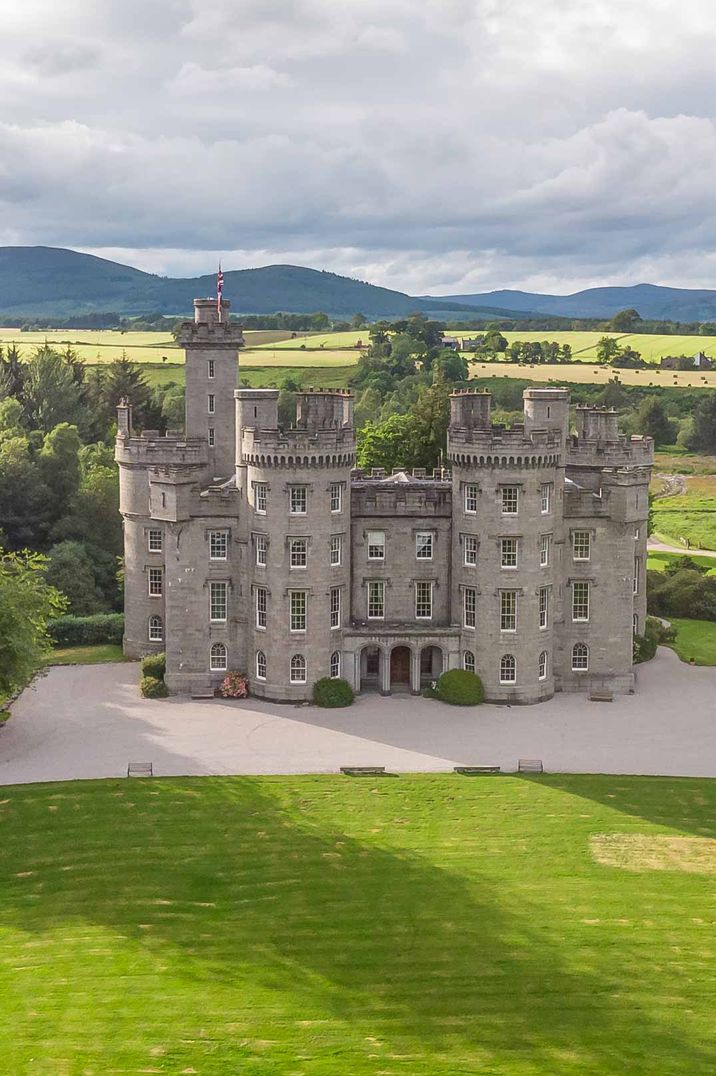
{"x":663,"y":304}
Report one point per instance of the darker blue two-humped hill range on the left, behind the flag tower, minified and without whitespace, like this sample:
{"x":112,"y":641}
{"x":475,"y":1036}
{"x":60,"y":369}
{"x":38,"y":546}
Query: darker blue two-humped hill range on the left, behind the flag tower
{"x":48,"y":281}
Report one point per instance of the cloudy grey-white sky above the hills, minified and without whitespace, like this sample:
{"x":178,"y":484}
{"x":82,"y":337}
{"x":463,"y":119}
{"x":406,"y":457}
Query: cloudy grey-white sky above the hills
{"x":429,"y":146}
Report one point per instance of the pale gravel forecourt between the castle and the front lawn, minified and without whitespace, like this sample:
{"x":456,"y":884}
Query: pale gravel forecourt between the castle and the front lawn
{"x":90,"y":721}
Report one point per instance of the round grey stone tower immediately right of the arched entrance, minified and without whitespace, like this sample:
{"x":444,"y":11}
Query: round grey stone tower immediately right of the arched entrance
{"x":508,"y":507}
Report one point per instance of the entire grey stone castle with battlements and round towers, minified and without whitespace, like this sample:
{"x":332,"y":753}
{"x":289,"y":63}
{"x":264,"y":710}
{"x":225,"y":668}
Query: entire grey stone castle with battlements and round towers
{"x":263,"y":550}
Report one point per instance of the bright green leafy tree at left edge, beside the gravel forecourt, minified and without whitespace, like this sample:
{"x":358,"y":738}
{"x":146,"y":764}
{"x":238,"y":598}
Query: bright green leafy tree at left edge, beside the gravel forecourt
{"x":27,"y":603}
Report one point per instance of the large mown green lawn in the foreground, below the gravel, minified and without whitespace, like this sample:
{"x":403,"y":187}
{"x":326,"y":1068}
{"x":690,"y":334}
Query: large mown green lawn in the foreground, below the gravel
{"x":423,"y":926}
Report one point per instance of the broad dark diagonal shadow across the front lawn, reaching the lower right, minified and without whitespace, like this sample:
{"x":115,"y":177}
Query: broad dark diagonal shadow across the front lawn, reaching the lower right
{"x":383,"y":940}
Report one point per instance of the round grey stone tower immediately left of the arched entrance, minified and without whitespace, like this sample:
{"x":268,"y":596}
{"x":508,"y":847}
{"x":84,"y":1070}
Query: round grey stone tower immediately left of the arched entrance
{"x":297,"y":487}
